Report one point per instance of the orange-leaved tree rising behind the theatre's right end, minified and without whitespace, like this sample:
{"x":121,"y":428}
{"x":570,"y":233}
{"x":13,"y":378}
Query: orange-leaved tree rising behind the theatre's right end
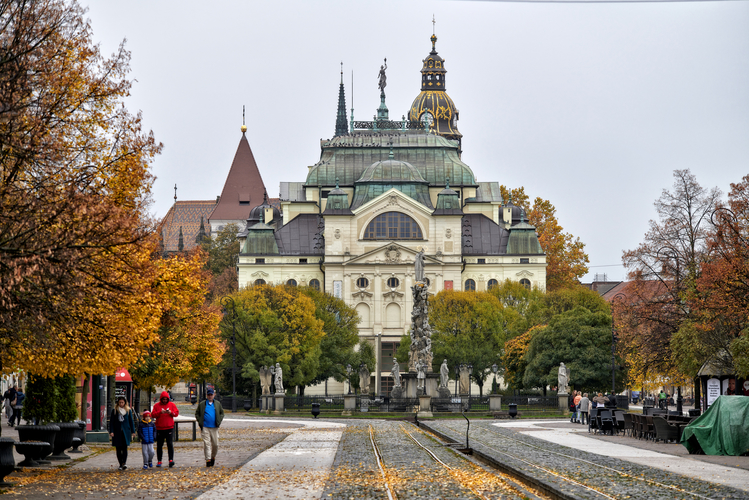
{"x":565,"y":254}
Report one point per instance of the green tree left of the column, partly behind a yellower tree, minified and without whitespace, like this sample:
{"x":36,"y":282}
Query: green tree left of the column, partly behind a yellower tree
{"x":340,"y":324}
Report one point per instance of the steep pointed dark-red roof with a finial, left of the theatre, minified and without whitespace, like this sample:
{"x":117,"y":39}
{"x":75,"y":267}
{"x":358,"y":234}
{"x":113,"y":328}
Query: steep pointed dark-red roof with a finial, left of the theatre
{"x":244,"y":186}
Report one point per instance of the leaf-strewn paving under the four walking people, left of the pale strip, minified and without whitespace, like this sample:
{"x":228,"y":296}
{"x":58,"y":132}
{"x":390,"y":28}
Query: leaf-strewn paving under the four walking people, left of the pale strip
{"x":97,"y":477}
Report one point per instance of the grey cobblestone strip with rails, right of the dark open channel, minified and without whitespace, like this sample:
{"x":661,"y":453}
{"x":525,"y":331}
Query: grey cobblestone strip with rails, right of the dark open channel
{"x":596,"y":476}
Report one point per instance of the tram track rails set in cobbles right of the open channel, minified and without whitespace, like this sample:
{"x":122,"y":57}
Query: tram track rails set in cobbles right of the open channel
{"x":491,"y":451}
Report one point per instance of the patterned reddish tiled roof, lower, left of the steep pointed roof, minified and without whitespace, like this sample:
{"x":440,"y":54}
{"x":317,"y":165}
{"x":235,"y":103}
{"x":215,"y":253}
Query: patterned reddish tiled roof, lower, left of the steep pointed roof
{"x":185,"y":214}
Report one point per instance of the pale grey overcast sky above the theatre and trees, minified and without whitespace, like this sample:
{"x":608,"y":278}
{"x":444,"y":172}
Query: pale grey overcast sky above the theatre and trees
{"x":591,"y":106}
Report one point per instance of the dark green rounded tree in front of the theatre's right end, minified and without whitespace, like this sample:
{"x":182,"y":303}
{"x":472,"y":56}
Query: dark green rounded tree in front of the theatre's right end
{"x":582,"y":340}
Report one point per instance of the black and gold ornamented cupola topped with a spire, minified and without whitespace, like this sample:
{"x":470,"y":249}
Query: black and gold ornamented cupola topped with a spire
{"x":433,"y":107}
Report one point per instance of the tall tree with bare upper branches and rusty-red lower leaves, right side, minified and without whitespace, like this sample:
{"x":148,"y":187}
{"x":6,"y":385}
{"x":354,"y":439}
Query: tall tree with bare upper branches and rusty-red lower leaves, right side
{"x":664,"y":270}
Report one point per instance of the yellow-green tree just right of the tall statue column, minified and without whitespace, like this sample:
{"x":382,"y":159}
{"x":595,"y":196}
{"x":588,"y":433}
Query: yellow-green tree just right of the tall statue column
{"x":467,"y":328}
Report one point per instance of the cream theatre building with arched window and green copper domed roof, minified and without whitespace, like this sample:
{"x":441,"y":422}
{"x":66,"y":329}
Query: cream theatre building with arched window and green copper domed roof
{"x":381,"y":192}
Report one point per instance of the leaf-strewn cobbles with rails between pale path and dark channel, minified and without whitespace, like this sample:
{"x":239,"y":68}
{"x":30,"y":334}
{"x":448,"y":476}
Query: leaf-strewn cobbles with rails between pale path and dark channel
{"x":410,"y":472}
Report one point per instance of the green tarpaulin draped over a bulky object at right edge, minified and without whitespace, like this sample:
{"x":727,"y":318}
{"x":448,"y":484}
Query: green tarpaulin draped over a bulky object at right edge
{"x":722,"y":430}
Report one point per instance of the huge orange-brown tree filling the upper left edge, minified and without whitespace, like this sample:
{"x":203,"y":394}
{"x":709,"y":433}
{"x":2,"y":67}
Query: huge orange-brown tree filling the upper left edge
{"x":75,"y":242}
